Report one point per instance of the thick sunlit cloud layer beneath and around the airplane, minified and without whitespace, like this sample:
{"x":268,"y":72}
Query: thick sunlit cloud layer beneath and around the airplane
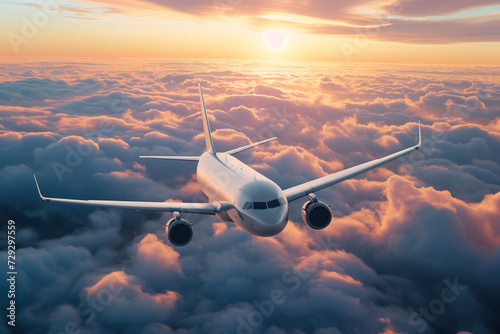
{"x":413,"y":247}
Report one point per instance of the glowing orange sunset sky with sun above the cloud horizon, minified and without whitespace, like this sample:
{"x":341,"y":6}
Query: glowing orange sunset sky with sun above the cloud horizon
{"x":391,"y":31}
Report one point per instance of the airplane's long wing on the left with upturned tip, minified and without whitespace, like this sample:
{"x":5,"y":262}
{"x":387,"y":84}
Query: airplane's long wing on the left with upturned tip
{"x":201,"y":208}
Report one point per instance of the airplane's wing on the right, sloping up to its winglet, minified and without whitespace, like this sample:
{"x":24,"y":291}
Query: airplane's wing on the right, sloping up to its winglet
{"x":303,"y":189}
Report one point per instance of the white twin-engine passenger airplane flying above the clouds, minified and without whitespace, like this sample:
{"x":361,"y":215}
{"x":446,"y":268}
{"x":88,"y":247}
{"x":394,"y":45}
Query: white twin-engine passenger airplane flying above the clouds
{"x":238,"y":193}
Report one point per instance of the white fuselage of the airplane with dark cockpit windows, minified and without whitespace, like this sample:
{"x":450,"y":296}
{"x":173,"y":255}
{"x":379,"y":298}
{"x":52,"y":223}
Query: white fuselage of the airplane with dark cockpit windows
{"x":260,"y":206}
